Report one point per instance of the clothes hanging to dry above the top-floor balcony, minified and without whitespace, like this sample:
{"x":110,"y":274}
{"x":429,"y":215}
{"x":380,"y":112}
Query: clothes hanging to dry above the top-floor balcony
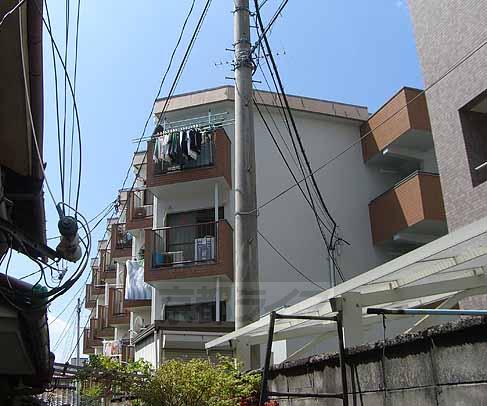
{"x":185,"y":148}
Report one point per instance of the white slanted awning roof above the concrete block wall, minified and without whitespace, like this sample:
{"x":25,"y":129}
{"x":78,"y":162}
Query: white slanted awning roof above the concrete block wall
{"x":442,"y":272}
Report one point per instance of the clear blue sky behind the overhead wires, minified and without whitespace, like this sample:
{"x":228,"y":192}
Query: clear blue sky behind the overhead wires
{"x":351,"y":51}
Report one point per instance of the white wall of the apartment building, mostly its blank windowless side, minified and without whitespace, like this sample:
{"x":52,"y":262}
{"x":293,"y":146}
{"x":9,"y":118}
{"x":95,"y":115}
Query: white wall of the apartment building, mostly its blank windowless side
{"x":347,"y":185}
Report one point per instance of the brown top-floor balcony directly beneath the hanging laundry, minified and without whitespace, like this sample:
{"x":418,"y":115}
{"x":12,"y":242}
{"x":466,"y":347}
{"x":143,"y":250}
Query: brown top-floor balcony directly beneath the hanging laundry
{"x":214,"y":161}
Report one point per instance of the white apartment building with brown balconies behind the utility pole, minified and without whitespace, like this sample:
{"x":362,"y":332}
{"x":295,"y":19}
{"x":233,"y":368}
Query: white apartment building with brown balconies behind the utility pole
{"x":172,"y":247}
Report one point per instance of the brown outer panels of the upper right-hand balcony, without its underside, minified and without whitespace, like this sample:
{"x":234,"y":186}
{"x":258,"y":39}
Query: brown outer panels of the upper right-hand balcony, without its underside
{"x":393,"y":119}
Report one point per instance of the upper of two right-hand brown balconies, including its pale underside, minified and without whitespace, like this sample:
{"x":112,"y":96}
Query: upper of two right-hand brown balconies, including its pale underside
{"x":400,"y":133}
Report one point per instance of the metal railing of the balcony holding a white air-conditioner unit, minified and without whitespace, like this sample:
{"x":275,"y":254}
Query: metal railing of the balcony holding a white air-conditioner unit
{"x":185,"y":245}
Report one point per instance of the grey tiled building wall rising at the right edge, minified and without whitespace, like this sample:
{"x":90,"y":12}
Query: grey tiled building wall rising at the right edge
{"x":457,"y":103}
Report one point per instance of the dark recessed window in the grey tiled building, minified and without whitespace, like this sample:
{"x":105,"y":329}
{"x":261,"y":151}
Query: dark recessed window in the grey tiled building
{"x":474,"y":124}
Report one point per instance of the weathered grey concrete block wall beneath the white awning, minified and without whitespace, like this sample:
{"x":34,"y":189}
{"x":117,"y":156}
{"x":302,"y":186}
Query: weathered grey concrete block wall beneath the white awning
{"x":442,"y":366}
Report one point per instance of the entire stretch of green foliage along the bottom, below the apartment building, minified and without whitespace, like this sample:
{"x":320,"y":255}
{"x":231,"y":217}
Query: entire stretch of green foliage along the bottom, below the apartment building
{"x":196,"y":382}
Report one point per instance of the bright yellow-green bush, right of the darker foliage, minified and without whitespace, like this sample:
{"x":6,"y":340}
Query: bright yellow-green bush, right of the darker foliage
{"x":199,"y":383}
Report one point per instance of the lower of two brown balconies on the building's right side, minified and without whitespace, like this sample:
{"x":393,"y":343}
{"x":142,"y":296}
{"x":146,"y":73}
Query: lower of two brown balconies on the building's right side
{"x":409,"y":214}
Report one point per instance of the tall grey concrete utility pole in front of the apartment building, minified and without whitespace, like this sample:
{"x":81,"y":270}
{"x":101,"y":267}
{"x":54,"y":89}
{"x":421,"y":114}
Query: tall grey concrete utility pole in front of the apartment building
{"x":247,"y":301}
